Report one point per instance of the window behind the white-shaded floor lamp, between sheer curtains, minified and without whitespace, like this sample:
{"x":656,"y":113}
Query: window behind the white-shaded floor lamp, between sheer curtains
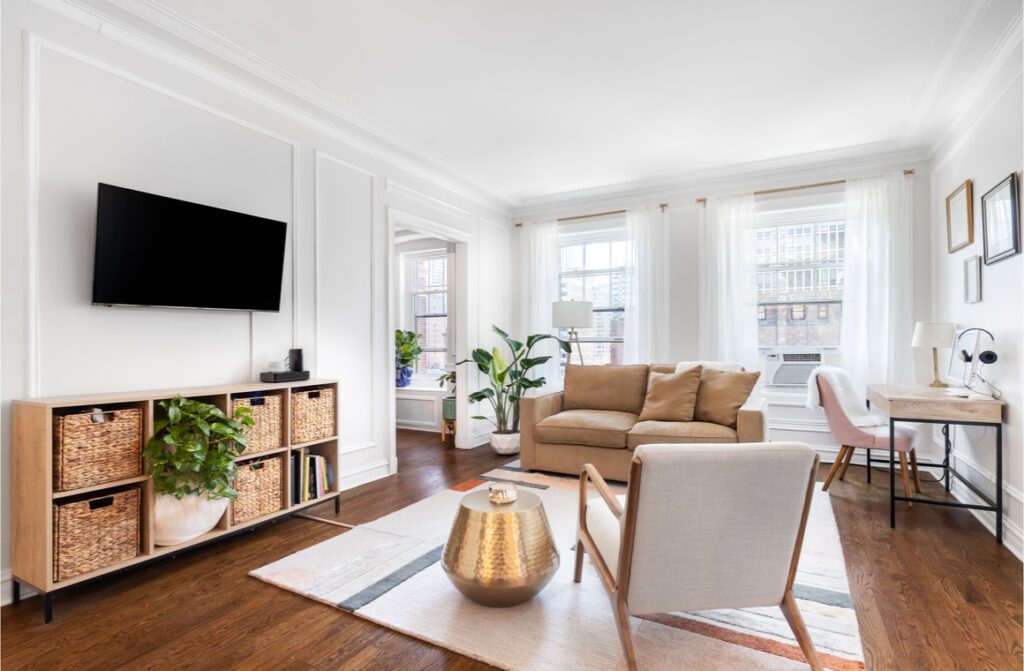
{"x":598,"y":268}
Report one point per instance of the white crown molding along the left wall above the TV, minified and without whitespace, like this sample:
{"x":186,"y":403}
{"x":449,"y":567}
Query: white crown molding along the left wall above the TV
{"x":147,"y":26}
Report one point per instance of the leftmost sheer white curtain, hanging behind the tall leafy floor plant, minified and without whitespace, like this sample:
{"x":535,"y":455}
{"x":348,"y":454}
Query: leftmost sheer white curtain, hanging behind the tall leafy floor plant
{"x":539,"y":270}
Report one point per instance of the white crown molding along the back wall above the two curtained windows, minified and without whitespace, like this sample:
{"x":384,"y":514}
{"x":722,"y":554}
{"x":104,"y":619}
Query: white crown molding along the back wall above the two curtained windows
{"x":755,"y":175}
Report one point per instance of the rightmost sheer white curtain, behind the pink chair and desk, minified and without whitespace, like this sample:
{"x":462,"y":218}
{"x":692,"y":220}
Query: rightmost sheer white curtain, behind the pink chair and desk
{"x":878,"y":280}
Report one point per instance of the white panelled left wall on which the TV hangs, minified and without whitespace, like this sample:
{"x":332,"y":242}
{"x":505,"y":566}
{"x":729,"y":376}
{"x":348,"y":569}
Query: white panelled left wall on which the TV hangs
{"x":87,"y":100}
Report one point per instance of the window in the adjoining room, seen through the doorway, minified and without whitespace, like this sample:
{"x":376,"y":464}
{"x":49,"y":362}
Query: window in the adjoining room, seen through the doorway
{"x":429,"y":287}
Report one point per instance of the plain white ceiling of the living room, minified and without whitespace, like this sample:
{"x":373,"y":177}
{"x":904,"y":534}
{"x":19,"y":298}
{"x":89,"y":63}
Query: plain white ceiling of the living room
{"x":537,"y":98}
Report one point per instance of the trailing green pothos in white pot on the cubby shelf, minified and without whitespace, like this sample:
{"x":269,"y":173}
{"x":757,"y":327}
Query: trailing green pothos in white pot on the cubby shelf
{"x":192,"y":463}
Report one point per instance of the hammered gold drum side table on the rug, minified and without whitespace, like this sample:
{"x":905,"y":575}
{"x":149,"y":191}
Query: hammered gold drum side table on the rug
{"x":500,"y":555}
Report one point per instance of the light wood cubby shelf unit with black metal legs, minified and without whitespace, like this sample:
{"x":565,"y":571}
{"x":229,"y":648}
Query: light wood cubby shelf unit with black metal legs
{"x":34,"y":496}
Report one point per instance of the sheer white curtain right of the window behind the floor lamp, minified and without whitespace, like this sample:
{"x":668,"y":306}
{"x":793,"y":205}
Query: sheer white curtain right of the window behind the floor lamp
{"x":647,"y":338}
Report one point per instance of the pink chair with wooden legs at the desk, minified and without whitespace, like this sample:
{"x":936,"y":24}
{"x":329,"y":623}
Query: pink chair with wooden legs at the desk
{"x":869,"y":438}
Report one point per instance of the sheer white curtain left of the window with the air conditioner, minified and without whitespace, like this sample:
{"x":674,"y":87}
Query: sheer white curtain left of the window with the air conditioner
{"x":728,"y":319}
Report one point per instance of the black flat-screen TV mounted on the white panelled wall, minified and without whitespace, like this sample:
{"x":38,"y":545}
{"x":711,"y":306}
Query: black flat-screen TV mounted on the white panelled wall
{"x":153,"y":250}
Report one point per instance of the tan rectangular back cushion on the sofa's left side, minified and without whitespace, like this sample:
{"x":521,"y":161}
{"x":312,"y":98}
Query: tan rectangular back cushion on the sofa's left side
{"x":606,"y":388}
